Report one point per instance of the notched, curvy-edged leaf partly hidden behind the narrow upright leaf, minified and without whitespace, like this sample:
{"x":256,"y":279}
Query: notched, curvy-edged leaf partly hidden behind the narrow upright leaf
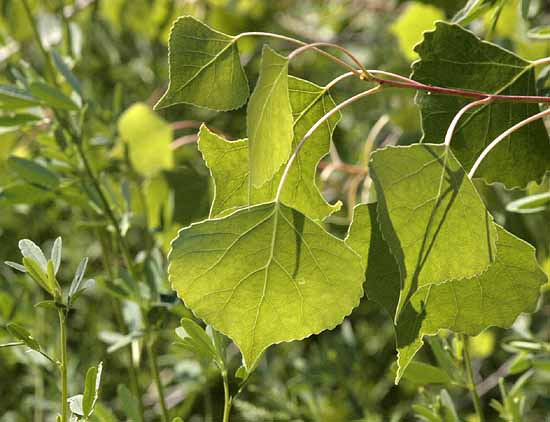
{"x":228,"y":160}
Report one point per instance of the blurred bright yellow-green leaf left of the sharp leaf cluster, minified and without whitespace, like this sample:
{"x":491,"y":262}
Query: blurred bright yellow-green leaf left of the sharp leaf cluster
{"x":148,"y":137}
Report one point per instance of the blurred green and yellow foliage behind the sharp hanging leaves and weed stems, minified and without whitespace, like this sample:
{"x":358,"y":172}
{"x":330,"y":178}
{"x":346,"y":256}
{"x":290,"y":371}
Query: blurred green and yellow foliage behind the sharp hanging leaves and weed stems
{"x":157,"y":182}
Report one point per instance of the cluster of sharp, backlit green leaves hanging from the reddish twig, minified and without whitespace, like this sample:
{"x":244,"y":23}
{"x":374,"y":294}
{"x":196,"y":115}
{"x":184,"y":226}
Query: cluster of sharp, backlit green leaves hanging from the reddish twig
{"x":262,"y":269}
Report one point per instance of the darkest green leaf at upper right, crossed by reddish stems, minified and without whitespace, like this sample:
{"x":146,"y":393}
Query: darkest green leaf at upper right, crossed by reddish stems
{"x":453,"y":57}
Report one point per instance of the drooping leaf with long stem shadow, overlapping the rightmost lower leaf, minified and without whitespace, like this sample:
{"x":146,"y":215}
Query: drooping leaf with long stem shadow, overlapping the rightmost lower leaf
{"x":431,"y":215}
